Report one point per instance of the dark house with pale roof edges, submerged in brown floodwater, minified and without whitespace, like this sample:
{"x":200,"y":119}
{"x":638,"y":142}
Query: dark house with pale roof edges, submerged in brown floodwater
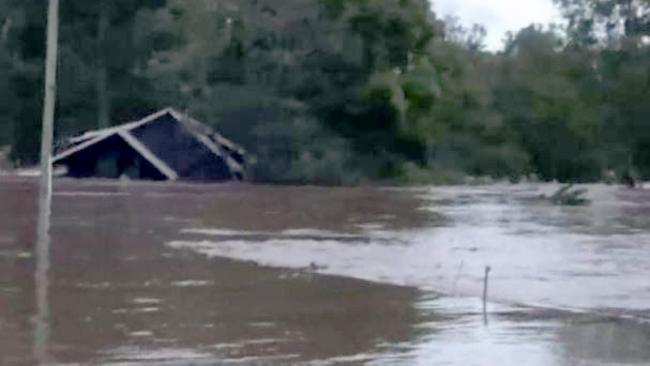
{"x":166,"y":145}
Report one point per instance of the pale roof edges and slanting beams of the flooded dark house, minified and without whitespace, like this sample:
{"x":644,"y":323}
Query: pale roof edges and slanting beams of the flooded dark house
{"x":212,"y":140}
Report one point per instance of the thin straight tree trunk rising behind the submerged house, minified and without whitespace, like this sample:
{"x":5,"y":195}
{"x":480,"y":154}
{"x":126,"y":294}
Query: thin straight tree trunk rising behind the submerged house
{"x":103,"y":94}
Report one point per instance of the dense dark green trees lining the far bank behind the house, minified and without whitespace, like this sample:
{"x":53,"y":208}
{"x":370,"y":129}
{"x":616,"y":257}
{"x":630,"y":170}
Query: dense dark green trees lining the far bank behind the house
{"x":342,"y":91}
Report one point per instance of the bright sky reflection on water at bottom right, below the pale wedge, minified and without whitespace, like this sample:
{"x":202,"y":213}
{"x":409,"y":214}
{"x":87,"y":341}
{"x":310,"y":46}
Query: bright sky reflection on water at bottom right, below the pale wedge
{"x":518,"y":336}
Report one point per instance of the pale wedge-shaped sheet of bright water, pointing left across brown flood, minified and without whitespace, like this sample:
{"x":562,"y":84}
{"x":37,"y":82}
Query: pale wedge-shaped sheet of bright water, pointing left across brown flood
{"x":537,"y":255}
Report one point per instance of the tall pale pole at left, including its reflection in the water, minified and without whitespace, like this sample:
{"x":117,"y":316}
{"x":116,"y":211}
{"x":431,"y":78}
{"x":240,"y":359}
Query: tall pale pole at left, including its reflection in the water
{"x":41,"y":331}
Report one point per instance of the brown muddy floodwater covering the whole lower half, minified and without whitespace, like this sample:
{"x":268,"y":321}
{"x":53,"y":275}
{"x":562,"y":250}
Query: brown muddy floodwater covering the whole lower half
{"x":175,"y":274}
